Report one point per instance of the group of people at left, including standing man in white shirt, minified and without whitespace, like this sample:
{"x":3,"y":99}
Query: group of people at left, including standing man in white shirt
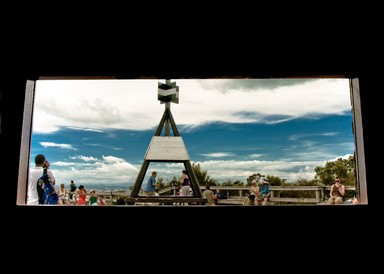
{"x":64,"y":196}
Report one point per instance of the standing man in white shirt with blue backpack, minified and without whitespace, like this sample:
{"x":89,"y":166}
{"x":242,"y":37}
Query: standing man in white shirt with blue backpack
{"x":41,"y":178}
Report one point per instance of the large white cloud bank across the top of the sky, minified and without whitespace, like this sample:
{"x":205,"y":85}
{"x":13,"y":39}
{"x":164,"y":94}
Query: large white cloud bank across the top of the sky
{"x":133,"y":104}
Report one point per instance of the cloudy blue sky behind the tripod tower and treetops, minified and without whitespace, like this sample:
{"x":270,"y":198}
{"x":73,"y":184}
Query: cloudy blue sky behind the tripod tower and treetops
{"x":98,"y":131}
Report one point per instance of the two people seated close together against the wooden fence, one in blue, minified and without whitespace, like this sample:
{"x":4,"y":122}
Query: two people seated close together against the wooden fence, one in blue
{"x":258,"y":194}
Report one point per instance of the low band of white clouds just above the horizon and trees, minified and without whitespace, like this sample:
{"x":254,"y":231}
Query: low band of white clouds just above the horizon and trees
{"x":122,"y":172}
